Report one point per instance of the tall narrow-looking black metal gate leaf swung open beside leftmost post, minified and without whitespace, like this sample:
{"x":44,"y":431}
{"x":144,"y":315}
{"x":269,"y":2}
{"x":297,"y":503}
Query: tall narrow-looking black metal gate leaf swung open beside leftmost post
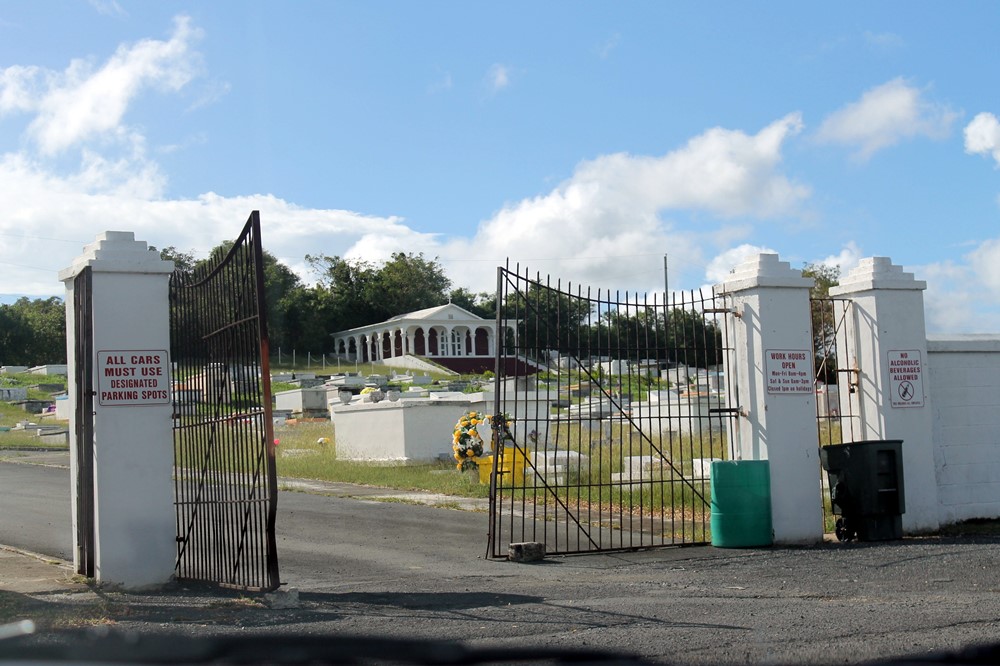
{"x":225,"y":476}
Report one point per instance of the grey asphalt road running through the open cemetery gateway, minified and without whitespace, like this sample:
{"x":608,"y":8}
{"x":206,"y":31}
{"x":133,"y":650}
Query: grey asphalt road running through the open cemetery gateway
{"x":373,"y":568}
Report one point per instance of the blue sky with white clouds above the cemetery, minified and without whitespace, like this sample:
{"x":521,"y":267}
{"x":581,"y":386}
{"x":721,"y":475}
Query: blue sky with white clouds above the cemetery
{"x":584,"y":140}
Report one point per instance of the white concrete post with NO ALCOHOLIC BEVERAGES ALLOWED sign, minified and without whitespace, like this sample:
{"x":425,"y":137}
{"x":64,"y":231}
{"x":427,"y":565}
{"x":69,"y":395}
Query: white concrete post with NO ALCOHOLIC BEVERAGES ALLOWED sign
{"x":889,"y":346}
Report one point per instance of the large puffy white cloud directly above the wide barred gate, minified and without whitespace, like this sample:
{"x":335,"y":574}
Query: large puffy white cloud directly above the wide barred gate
{"x":609,"y":210}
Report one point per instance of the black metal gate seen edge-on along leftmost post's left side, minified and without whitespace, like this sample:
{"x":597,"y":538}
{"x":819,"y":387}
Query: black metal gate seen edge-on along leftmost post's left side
{"x":83,"y":324}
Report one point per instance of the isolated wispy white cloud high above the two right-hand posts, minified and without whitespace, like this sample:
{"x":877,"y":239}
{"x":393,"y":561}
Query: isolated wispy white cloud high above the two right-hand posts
{"x":884,"y":116}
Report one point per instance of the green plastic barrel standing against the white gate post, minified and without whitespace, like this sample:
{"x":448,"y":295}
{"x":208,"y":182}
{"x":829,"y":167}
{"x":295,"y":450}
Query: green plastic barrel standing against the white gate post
{"x":741,"y":504}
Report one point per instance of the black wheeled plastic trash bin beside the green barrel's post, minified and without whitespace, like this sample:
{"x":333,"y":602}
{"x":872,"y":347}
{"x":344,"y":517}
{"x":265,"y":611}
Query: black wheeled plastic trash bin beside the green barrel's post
{"x":866,"y":488}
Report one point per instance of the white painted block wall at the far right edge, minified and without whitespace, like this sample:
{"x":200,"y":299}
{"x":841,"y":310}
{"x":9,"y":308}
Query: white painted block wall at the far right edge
{"x":964,"y":376}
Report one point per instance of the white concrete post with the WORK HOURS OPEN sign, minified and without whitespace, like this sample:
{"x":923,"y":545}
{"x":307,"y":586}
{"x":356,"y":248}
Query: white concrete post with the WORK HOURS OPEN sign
{"x":774,"y":372}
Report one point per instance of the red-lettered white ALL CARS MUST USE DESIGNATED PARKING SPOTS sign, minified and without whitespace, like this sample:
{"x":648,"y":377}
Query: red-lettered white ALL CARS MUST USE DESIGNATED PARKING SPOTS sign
{"x":133,"y":377}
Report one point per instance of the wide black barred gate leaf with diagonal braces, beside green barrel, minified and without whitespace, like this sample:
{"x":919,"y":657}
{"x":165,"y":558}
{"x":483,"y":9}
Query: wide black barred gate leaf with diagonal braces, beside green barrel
{"x":609,"y":410}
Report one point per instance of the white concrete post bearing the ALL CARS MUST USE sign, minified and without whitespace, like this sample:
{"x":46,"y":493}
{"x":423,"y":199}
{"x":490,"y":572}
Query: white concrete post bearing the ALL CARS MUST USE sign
{"x":135,"y":525}
